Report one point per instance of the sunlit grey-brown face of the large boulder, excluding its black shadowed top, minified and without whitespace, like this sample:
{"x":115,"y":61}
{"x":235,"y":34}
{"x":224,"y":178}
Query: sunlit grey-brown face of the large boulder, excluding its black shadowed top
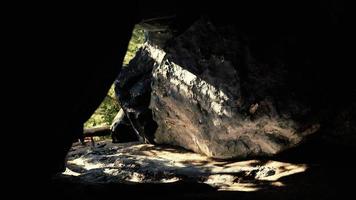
{"x":203,"y":113}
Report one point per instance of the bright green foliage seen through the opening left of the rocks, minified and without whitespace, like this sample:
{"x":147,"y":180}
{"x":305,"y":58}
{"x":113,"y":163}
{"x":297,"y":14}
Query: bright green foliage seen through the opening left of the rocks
{"x":108,"y":109}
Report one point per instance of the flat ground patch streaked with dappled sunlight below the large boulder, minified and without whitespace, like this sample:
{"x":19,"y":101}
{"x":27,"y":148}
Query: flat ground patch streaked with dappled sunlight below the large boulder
{"x":144,"y":163}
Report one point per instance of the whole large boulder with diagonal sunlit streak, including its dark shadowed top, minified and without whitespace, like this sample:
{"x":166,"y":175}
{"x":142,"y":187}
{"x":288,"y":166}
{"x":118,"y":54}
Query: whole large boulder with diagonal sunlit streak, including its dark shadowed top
{"x":211,"y":95}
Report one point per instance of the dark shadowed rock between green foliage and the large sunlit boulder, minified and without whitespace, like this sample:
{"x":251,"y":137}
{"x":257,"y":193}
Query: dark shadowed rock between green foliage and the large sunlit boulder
{"x":133,"y":89}
